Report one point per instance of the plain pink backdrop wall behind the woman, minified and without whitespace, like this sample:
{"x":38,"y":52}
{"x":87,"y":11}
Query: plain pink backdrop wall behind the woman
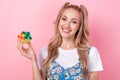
{"x":37,"y":16}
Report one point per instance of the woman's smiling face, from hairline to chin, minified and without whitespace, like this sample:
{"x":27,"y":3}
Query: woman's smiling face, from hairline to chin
{"x":69,"y":23}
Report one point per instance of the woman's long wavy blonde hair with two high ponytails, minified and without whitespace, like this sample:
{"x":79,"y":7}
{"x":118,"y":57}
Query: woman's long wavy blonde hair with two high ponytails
{"x":81,"y":40}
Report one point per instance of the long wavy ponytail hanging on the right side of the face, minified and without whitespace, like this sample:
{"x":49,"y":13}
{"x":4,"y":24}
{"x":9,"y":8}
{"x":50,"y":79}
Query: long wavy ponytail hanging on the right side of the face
{"x":84,"y":39}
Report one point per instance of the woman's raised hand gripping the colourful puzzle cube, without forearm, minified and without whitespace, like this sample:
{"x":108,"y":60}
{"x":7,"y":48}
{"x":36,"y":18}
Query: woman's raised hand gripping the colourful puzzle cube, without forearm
{"x":27,"y":52}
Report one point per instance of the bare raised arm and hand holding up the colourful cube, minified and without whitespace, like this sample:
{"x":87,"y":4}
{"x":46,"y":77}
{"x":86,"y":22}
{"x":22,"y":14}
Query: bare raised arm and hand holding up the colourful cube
{"x":30,"y":54}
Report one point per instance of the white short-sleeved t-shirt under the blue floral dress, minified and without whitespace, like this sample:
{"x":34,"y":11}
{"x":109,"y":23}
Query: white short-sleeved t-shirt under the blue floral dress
{"x":69,"y":58}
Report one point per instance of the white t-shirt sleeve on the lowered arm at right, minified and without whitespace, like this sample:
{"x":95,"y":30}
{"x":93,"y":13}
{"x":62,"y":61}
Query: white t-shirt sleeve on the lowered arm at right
{"x":95,"y":63}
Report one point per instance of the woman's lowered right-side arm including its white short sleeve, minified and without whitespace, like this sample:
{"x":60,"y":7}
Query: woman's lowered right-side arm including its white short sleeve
{"x":95,"y":64}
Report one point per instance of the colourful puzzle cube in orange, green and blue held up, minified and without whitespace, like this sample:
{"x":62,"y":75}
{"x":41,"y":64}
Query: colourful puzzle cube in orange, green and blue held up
{"x":25,"y":36}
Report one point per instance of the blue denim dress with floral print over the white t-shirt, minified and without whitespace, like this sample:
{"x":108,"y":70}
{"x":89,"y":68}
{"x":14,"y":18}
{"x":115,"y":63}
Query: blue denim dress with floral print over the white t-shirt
{"x":57,"y":72}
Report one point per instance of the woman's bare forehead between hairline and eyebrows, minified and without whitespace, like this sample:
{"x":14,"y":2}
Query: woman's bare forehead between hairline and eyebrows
{"x":71,"y":13}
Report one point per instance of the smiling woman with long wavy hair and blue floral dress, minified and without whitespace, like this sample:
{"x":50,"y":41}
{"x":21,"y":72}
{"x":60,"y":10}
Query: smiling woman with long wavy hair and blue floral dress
{"x":68,"y":56}
